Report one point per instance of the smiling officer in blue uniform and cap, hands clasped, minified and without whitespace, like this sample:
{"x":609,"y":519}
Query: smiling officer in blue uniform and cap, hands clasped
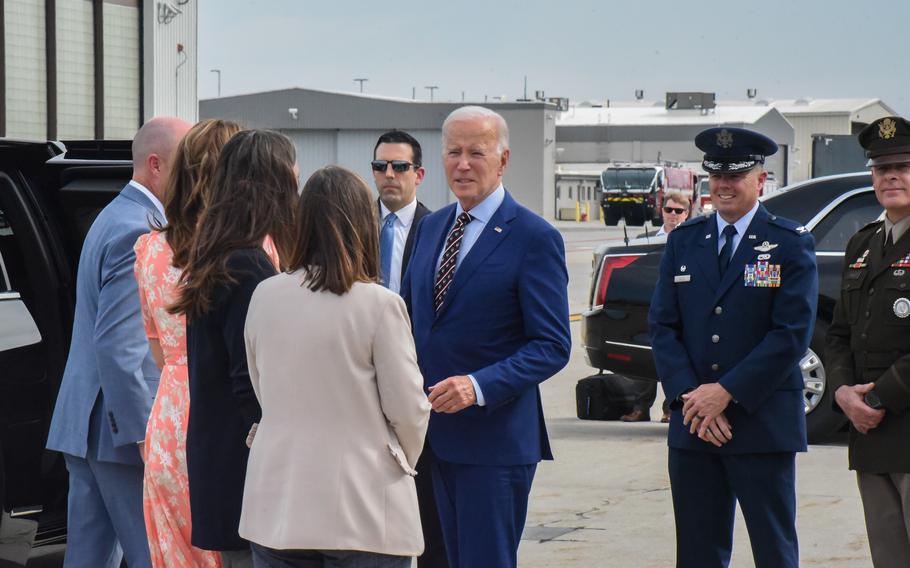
{"x":731,"y":317}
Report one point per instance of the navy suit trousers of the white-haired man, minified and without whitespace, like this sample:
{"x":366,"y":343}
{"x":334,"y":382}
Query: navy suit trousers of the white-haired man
{"x":482,"y":510}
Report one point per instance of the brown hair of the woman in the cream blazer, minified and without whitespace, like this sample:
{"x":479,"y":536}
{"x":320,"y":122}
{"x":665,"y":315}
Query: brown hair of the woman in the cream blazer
{"x":336,"y":240}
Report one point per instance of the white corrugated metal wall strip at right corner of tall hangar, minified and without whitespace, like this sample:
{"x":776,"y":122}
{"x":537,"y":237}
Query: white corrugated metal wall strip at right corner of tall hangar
{"x":170,"y":73}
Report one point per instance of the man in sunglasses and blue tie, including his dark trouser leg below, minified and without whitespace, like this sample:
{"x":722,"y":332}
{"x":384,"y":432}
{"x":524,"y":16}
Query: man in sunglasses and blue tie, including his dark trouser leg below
{"x":397,"y":171}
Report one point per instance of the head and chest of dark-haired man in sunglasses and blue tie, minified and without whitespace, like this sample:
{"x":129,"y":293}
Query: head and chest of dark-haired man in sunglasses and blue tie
{"x":397,"y":171}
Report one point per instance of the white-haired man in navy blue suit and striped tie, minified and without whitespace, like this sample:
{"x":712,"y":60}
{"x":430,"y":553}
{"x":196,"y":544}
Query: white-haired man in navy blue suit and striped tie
{"x":486,"y":289}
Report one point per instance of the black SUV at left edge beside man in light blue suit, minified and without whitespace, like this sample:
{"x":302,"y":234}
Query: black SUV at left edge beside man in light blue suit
{"x":50,"y":192}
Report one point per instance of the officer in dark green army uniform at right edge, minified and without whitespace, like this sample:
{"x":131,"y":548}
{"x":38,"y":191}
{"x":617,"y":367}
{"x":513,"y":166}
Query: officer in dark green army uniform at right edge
{"x":868,"y":347}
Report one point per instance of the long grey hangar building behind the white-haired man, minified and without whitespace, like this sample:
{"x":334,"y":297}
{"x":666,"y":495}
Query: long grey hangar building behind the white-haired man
{"x":342,"y":128}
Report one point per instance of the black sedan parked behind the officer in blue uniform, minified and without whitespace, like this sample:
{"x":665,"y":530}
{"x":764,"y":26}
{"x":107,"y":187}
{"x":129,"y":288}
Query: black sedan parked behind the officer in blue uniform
{"x":615,"y":327}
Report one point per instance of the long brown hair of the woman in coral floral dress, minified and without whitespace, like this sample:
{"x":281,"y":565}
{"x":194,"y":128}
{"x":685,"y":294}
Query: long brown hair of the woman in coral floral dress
{"x":187,"y":191}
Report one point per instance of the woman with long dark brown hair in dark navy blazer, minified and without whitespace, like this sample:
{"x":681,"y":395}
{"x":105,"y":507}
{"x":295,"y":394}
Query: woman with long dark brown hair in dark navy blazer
{"x":253,"y":197}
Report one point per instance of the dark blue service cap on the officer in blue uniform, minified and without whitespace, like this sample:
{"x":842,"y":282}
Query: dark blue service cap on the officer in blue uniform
{"x":732,"y":150}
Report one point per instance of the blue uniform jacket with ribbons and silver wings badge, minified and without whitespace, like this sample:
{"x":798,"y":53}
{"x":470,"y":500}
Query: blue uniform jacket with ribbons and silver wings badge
{"x":711,"y":328}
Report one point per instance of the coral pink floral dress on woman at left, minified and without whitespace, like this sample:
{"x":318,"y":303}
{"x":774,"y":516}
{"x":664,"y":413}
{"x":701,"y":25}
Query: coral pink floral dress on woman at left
{"x":166,"y":497}
